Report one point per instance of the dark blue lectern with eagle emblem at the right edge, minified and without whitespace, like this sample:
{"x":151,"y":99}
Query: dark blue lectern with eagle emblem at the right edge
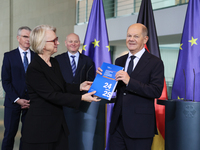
{"x":182,"y":124}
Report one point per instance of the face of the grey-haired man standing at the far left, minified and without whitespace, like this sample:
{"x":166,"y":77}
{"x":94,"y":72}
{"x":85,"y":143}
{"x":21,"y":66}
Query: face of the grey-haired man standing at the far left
{"x":23,"y":39}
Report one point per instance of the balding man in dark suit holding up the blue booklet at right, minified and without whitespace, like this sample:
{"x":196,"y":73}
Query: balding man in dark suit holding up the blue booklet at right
{"x":133,"y":122}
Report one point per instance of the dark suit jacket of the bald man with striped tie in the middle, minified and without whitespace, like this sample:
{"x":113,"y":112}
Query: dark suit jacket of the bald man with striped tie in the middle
{"x":85,"y":70}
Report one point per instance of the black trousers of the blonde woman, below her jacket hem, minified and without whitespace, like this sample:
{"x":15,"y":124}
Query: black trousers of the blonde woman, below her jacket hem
{"x":61,"y":144}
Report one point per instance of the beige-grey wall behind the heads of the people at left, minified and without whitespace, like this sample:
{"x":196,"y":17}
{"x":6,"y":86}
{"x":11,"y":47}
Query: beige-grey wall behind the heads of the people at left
{"x":16,"y":13}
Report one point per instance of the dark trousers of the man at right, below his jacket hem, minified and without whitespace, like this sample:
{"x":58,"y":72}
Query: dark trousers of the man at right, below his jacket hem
{"x":121,"y":141}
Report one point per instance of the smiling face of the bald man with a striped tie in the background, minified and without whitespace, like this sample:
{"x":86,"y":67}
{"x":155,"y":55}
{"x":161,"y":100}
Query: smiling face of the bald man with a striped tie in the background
{"x":72,"y":43}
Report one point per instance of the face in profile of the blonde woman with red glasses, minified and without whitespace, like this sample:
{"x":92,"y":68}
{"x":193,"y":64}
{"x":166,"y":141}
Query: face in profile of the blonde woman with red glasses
{"x":51,"y":42}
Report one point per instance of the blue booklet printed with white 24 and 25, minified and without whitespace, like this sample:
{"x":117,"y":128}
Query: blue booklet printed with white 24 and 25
{"x":105,"y":84}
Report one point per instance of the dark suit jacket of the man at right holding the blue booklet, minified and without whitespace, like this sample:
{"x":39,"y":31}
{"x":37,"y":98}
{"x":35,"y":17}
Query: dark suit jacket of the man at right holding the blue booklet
{"x":135,"y":101}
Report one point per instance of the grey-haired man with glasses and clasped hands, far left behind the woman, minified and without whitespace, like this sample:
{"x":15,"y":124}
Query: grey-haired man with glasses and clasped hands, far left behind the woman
{"x":17,"y":100}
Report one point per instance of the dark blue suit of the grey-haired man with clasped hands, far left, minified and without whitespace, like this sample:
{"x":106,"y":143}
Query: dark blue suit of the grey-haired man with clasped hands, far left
{"x":13,"y":81}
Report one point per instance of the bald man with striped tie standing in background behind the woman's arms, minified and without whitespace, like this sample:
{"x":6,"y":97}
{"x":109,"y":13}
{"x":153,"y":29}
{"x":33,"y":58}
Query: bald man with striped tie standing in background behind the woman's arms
{"x":84,"y":71}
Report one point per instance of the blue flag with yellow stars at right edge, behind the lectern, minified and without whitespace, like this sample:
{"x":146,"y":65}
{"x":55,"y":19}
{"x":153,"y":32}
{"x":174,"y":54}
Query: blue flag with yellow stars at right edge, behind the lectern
{"x":187,"y":78}
